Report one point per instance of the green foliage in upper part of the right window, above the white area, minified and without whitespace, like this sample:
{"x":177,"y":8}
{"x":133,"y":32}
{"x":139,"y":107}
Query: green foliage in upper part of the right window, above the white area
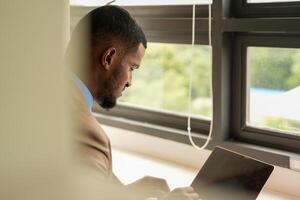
{"x":274,"y":68}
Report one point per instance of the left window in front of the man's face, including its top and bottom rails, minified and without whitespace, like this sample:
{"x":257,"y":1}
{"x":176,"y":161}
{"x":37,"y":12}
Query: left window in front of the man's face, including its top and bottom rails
{"x":154,"y":98}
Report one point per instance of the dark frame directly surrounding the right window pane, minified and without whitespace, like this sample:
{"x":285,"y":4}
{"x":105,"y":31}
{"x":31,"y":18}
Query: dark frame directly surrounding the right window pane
{"x":252,"y":134}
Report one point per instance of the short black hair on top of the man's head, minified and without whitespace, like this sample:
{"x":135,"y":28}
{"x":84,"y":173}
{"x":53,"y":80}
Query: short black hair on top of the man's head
{"x":110,"y":23}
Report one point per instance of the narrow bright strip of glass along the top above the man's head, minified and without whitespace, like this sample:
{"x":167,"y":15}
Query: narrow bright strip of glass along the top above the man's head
{"x":139,"y":3}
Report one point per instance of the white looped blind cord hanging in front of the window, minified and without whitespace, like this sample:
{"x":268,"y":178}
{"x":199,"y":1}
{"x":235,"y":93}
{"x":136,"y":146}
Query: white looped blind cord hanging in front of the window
{"x":191,"y":84}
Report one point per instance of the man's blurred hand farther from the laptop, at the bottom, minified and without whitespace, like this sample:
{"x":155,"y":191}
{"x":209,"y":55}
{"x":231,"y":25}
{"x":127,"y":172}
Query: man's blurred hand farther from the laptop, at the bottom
{"x":150,"y":186}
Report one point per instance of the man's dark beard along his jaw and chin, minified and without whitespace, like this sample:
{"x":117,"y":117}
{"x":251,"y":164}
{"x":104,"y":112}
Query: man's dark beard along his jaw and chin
{"x":105,"y":95}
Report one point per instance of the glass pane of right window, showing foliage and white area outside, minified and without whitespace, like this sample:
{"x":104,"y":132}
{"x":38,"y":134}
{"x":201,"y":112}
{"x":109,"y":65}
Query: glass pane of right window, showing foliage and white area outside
{"x":274,"y":92}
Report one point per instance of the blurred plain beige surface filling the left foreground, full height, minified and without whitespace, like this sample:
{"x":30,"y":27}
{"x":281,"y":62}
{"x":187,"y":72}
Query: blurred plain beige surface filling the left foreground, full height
{"x":33,"y":132}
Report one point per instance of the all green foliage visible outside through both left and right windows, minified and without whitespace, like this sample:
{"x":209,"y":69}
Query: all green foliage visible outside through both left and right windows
{"x":162,"y":82}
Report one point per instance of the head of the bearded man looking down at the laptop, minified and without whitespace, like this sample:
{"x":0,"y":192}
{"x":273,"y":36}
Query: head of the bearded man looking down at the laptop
{"x":113,"y":47}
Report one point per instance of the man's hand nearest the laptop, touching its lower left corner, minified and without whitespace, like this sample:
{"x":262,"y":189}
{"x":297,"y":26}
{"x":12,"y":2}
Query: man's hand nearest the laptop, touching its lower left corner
{"x":185,"y":193}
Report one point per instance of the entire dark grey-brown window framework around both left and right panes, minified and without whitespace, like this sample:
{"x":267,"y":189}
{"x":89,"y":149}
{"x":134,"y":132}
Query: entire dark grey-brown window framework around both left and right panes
{"x":233,"y":24}
